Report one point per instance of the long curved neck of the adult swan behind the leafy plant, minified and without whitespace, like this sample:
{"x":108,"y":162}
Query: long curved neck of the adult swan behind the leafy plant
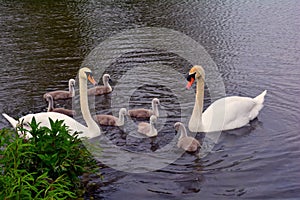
{"x":93,"y":128}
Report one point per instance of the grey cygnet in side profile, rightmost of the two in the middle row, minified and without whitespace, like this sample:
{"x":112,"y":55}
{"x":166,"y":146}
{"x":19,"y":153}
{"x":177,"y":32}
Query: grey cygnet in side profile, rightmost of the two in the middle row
{"x":145,"y":113}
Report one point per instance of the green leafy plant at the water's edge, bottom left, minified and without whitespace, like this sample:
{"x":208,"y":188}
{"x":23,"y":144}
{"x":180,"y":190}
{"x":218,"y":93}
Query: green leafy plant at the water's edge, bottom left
{"x":46,"y":166}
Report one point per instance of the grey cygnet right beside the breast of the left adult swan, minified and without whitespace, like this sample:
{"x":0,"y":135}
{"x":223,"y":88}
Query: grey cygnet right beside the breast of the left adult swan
{"x":109,"y":120}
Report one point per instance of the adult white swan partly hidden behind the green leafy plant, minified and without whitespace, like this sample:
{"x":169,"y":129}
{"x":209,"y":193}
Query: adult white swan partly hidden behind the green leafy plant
{"x":92,"y":129}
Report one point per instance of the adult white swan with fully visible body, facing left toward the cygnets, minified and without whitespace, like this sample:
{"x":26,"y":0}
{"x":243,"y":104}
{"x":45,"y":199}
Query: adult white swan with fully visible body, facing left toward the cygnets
{"x":224,"y":114}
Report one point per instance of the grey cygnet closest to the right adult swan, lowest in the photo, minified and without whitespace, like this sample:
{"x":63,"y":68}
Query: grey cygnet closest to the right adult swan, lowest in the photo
{"x":186,"y":142}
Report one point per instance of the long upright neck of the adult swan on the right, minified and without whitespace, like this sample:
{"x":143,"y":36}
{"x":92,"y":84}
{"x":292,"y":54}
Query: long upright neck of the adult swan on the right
{"x":195,"y":124}
